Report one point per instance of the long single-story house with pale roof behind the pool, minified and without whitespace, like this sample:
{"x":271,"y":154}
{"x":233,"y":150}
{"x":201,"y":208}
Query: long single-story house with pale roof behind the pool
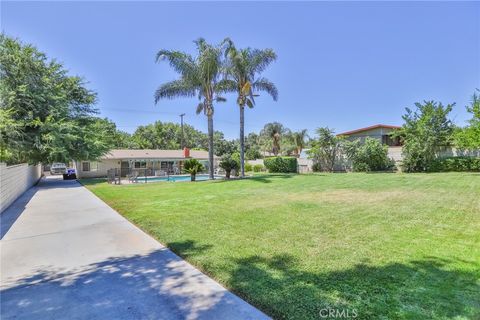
{"x":147,"y":160}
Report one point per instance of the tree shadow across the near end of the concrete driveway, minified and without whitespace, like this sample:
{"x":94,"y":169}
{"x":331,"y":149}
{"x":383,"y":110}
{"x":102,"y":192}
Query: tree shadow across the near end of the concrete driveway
{"x":157,"y":285}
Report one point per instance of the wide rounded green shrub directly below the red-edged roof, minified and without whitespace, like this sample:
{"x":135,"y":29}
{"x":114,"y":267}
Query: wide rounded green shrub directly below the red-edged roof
{"x":368,"y":156}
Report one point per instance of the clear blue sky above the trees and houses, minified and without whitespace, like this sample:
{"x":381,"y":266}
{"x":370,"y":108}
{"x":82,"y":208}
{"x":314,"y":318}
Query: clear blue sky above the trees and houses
{"x":340,"y":64}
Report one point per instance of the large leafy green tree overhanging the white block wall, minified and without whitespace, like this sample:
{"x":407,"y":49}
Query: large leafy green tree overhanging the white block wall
{"x":47,"y":114}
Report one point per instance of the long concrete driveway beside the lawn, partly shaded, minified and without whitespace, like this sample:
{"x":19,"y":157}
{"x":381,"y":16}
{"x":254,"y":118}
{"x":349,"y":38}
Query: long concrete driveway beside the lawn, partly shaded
{"x":65,"y":254}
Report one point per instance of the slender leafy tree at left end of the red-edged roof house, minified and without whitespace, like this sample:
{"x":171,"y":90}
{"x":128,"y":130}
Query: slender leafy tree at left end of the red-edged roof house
{"x":325,"y":150}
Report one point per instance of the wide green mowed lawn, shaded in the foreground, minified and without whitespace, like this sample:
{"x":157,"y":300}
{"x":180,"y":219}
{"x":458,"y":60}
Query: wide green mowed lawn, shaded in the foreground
{"x":391,"y":246}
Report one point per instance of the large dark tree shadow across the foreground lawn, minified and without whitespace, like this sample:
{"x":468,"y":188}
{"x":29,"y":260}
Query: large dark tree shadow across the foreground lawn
{"x":420,"y":289}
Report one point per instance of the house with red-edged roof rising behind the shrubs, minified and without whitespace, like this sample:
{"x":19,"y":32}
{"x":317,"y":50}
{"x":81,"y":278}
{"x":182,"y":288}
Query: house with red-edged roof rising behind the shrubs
{"x":381,"y":132}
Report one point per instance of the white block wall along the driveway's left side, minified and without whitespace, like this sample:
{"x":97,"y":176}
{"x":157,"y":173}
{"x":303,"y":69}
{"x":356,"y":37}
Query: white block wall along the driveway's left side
{"x":15,"y":180}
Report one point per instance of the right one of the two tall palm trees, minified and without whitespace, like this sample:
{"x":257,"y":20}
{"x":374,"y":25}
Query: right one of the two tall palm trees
{"x":243,"y":68}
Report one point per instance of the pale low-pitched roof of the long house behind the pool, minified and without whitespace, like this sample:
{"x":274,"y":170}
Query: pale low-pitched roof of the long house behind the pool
{"x":153,"y":154}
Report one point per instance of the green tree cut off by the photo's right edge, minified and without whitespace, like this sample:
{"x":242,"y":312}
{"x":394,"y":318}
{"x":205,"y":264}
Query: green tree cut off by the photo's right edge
{"x":468,"y":138}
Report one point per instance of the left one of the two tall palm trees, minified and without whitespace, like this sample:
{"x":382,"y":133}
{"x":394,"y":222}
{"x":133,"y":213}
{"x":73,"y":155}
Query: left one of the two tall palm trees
{"x":200,"y":77}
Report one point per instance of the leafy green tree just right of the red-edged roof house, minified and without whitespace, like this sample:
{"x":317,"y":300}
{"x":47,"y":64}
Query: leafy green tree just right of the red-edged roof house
{"x":425,"y":131}
